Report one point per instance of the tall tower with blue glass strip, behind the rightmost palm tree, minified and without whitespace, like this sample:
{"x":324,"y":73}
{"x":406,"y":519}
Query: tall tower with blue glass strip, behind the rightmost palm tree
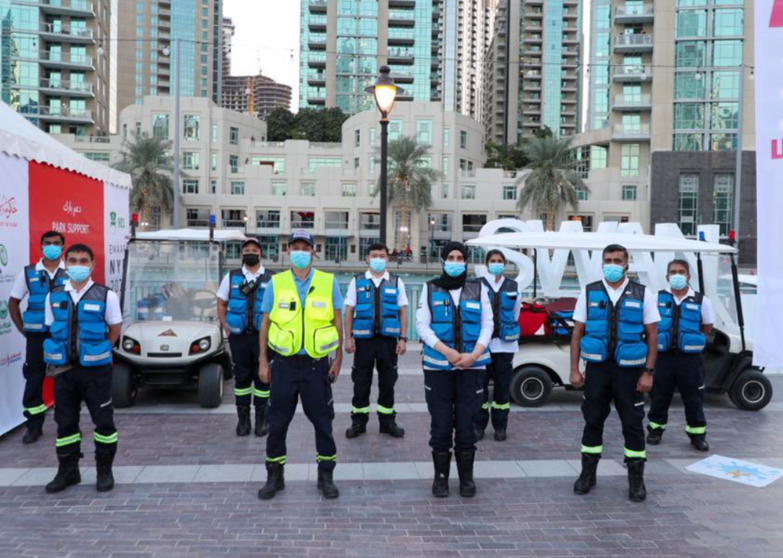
{"x":532,"y":69}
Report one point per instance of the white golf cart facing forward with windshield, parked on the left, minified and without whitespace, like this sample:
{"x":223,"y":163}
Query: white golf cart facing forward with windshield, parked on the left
{"x":171,"y":335}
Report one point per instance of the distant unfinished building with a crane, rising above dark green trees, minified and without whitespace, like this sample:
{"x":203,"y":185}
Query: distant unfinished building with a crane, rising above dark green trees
{"x":258,"y":95}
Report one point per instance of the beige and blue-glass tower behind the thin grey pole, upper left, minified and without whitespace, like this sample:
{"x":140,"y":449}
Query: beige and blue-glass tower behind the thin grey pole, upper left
{"x":148,"y":30}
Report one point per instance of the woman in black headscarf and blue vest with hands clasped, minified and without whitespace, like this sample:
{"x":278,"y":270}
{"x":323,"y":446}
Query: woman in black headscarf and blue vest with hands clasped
{"x":455,"y":323}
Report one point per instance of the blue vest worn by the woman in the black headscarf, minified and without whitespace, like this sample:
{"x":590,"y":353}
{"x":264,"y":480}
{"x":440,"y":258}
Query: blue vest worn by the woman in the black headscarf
{"x":458,"y":327}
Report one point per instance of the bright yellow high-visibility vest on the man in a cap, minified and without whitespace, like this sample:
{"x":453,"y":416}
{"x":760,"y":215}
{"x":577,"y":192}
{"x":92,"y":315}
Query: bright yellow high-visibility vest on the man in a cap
{"x":293,"y":327}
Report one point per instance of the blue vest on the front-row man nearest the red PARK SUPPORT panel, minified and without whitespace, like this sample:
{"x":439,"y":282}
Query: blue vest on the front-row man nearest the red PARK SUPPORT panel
{"x":79,"y":332}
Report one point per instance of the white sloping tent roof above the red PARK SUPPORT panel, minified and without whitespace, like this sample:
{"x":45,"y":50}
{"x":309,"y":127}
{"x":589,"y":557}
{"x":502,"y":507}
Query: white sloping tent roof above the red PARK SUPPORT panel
{"x":20,"y":138}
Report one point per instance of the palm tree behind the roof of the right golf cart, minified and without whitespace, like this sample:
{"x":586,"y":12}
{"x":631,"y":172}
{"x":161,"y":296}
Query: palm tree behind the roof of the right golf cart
{"x":550,"y":184}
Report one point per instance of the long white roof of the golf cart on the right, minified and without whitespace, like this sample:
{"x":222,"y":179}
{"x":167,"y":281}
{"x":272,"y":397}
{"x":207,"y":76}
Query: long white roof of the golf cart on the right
{"x":599,"y":241}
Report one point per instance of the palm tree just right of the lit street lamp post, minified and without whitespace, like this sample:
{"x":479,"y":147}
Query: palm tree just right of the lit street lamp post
{"x":410,"y":180}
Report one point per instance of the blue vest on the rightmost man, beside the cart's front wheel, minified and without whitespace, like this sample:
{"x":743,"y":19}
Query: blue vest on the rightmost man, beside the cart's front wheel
{"x":680,"y":325}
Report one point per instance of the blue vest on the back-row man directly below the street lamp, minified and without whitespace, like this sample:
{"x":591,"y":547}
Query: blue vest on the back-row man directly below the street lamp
{"x":377,"y":311}
